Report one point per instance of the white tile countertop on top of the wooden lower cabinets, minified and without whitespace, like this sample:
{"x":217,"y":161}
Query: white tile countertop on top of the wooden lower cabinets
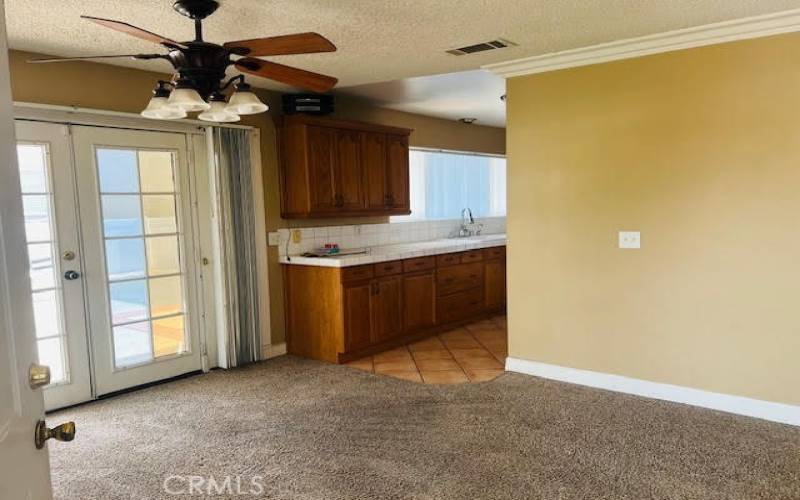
{"x":401,"y":251}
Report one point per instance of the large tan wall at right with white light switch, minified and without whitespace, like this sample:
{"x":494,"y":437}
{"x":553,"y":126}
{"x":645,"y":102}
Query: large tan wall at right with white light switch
{"x":700,"y":151}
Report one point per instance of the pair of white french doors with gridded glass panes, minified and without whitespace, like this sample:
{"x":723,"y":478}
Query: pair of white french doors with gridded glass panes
{"x":113,"y":257}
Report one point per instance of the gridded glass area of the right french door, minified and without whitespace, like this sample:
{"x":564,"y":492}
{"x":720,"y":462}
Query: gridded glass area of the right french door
{"x":138,"y":196}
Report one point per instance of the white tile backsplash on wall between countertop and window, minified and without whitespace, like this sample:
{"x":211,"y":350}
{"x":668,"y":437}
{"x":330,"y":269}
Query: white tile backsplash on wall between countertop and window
{"x":371,"y":235}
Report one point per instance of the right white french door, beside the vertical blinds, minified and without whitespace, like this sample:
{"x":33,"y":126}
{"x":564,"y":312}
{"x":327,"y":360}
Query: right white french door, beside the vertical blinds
{"x":134,"y":194}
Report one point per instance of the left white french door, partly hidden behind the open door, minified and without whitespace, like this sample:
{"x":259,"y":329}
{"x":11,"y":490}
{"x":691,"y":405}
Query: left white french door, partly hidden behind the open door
{"x":49,"y":205}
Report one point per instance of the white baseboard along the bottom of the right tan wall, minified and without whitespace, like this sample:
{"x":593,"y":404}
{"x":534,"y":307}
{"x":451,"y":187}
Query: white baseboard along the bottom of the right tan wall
{"x":766,"y":410}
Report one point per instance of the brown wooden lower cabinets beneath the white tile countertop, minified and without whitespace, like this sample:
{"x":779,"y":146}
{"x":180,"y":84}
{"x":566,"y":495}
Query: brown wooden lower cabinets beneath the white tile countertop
{"x":340,"y":314}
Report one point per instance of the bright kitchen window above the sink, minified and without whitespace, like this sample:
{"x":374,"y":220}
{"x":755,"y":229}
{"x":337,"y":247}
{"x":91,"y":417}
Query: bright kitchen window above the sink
{"x":442,"y":183}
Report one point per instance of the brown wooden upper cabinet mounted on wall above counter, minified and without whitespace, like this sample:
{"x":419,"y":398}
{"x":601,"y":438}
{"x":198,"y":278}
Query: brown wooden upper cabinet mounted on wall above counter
{"x":332,"y":168}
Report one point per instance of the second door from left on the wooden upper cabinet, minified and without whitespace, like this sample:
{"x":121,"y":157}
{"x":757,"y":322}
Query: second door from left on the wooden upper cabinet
{"x":348,"y":179}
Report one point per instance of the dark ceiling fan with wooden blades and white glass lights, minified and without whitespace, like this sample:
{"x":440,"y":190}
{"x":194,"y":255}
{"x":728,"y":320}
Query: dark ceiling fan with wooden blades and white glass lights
{"x":199,"y":80}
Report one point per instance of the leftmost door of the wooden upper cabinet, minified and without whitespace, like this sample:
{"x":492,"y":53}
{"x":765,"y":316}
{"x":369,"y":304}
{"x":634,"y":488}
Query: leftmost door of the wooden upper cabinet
{"x":322,"y":168}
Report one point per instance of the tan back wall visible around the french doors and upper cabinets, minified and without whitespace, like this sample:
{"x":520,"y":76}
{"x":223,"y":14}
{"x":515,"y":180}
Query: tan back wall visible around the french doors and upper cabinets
{"x":102,"y":86}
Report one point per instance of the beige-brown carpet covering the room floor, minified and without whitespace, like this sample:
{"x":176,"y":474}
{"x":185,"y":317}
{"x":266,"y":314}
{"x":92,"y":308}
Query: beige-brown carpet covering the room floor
{"x":318,"y":431}
